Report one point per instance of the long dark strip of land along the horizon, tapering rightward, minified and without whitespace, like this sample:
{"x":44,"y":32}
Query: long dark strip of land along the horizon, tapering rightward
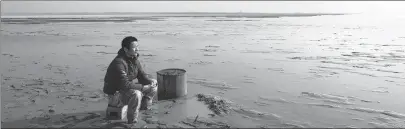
{"x":126,"y":17}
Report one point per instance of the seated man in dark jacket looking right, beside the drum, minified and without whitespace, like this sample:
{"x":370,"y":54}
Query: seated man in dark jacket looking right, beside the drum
{"x":119,"y":81}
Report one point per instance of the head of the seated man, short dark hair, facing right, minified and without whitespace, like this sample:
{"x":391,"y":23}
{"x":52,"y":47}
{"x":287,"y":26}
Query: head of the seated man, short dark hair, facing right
{"x":130,"y":46}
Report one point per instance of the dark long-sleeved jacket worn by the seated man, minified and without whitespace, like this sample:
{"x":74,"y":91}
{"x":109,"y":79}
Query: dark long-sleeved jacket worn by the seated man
{"x":122,"y":72}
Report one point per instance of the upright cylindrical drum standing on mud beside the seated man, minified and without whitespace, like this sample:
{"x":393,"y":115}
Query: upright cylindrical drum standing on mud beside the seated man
{"x":172,"y":83}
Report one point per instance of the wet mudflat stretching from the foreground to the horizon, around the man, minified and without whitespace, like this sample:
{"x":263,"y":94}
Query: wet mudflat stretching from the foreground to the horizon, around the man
{"x":273,"y":70}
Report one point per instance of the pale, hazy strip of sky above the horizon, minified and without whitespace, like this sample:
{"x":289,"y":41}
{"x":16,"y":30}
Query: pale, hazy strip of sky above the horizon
{"x":202,"y":6}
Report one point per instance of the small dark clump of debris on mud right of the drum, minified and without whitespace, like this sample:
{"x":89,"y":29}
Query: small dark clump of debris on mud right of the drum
{"x":216,"y":104}
